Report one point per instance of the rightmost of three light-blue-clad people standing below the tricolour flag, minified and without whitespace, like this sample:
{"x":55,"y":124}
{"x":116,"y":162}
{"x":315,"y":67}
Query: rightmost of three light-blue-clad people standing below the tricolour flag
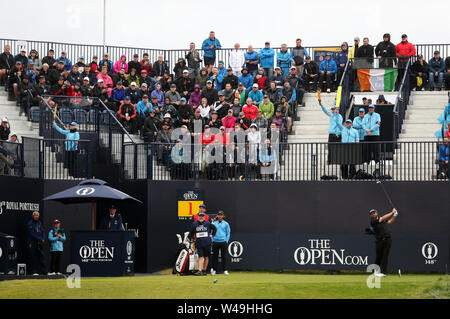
{"x":371,"y":124}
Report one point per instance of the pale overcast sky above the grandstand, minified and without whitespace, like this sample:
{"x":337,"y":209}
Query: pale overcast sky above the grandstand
{"x":172,"y":24}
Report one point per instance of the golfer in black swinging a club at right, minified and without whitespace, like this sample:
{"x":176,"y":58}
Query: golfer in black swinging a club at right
{"x":383,"y":238}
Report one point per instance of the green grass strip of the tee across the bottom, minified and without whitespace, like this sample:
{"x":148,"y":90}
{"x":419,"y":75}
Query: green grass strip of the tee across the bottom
{"x":239,"y":285}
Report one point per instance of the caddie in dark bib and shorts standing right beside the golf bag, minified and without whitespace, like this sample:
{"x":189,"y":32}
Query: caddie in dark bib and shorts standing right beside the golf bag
{"x":203,"y":231}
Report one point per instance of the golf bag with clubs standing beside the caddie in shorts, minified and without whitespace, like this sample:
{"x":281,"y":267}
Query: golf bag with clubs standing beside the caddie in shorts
{"x":186,"y":261}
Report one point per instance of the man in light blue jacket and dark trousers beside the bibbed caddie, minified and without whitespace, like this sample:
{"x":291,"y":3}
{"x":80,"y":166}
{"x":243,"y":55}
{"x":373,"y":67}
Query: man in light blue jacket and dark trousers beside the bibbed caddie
{"x":220,"y":243}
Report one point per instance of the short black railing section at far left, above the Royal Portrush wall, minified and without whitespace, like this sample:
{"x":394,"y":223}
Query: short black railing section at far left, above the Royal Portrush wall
{"x":46,"y":159}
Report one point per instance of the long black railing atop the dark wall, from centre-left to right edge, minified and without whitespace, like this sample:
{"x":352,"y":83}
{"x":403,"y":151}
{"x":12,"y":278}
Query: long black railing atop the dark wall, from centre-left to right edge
{"x":400,"y":161}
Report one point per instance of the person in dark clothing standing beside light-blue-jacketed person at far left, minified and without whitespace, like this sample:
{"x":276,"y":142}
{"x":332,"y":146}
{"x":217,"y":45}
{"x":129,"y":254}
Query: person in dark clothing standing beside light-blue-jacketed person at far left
{"x":35,"y":244}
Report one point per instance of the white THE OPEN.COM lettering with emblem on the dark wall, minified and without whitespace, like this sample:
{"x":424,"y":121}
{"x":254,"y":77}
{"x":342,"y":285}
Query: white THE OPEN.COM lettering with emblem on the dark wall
{"x":320,"y":252}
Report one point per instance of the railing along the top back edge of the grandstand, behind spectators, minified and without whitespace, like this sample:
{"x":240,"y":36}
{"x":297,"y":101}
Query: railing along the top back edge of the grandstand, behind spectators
{"x":170,"y":56}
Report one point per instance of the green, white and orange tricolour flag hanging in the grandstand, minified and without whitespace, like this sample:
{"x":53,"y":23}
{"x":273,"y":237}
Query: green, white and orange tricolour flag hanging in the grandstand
{"x":377,"y":79}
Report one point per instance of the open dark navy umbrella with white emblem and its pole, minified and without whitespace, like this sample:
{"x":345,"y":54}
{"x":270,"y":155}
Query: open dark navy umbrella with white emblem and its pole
{"x":90,"y":191}
